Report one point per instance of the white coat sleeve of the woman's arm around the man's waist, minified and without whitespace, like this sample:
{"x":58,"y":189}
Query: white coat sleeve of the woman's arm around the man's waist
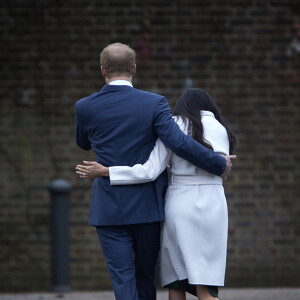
{"x":141,"y":173}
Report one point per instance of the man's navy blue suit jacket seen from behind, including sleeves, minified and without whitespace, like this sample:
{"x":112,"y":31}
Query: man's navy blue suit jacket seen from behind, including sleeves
{"x":121,"y":125}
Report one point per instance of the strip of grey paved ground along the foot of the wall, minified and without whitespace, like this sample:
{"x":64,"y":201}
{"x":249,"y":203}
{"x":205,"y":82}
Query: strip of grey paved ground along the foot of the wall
{"x":225,"y":294}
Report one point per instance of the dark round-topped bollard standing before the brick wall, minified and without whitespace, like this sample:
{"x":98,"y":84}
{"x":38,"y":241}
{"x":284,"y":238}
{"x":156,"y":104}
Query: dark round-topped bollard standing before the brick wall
{"x":60,"y":194}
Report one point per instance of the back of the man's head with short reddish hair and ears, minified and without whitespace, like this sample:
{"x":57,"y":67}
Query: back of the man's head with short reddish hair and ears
{"x":117,"y":59}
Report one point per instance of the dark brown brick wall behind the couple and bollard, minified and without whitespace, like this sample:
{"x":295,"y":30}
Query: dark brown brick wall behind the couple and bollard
{"x":245,"y":53}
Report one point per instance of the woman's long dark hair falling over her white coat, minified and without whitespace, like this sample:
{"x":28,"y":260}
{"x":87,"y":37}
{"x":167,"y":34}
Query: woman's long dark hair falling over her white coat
{"x":188,"y":106}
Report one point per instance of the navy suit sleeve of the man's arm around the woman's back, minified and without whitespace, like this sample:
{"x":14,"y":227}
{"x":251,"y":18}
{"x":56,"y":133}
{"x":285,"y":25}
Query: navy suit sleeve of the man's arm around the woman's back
{"x":183,"y":145}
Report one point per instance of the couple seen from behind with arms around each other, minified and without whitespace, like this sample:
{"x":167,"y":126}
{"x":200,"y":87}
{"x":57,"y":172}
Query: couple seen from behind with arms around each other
{"x":140,"y":215}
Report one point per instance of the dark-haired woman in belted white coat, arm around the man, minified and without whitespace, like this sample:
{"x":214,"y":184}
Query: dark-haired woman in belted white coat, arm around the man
{"x":194,"y":234}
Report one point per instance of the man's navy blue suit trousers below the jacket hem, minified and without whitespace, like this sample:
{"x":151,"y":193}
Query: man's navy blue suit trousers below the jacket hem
{"x":131,"y":253}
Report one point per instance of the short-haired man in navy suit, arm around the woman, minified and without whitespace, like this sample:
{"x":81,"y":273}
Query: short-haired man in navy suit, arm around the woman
{"x":121,"y":125}
